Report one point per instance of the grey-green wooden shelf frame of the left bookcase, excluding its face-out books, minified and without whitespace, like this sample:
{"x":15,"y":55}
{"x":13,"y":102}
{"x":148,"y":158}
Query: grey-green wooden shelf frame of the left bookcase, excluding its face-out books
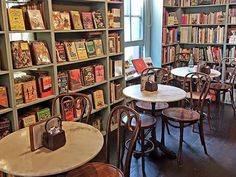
{"x":50,"y":36}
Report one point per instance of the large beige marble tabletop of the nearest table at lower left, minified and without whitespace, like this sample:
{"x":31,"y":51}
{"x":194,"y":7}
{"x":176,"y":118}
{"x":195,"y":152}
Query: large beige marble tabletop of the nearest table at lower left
{"x":83,"y":143}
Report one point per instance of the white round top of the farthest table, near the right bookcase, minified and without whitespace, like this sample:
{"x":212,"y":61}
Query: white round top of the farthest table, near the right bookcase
{"x":183,"y":71}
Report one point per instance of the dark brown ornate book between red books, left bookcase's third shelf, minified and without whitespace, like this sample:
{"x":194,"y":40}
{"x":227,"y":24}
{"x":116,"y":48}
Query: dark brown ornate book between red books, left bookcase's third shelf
{"x":88,"y":75}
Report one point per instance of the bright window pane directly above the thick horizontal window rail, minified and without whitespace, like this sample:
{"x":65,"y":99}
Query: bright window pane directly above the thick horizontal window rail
{"x":136,"y":28}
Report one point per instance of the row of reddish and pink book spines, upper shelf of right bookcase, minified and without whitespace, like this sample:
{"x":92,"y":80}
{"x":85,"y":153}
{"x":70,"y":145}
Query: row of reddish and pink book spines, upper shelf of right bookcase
{"x":204,"y":18}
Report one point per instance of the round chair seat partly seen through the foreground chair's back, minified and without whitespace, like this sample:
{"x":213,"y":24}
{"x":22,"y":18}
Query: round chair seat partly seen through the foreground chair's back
{"x":146,"y":121}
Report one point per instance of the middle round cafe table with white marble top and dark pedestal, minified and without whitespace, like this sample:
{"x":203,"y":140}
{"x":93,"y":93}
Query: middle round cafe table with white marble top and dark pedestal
{"x":165,"y":93}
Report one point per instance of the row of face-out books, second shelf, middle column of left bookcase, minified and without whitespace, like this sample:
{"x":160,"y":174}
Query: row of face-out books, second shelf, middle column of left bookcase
{"x":79,"y":49}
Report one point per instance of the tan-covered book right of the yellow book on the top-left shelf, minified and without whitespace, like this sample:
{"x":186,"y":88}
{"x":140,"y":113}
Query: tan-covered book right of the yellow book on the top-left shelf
{"x":35,"y":19}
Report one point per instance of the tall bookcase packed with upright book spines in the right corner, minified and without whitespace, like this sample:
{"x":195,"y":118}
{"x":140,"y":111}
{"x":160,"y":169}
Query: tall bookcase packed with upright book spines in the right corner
{"x":185,"y":34}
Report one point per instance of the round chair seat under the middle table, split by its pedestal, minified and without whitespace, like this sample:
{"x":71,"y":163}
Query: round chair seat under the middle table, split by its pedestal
{"x":148,"y":106}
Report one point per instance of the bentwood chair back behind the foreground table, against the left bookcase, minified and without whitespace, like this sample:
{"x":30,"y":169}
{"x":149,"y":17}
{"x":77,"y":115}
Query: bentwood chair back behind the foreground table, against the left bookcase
{"x":73,"y":105}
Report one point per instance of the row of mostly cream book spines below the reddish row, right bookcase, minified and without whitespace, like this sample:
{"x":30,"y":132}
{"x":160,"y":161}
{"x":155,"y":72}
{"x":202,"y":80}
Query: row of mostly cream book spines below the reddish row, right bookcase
{"x":202,"y":35}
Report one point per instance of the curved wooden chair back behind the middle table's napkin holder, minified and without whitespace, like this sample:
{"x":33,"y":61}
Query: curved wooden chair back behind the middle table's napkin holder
{"x":161,"y":75}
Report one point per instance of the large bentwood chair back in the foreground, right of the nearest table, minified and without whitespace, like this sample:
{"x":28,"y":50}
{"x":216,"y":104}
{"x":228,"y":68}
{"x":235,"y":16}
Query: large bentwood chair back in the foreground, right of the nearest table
{"x":122,"y":161}
